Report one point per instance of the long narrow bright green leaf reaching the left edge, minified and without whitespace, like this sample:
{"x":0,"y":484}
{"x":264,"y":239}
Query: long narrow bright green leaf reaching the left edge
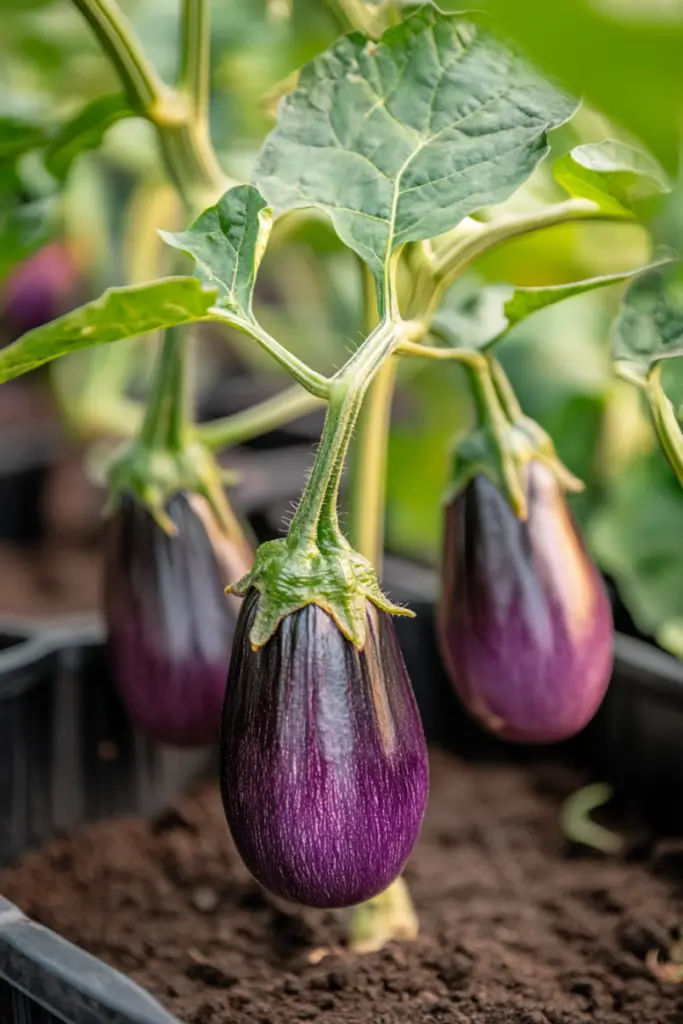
{"x":120,"y":313}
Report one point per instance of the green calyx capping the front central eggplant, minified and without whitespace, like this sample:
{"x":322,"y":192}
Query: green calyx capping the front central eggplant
{"x":290,"y":576}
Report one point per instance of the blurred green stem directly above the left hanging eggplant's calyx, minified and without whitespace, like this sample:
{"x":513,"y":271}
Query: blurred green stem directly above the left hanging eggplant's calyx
{"x":165,"y":423}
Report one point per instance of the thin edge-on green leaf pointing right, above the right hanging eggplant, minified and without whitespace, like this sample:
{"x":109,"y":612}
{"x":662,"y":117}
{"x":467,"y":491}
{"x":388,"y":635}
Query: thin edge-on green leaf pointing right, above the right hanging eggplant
{"x":480,"y":320}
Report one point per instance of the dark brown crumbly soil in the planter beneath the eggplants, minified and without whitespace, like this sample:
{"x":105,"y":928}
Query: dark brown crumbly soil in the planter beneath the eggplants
{"x":516,"y":930}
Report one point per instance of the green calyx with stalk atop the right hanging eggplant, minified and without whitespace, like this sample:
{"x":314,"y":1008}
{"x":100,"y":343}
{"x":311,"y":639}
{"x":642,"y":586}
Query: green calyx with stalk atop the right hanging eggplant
{"x":504,"y":444}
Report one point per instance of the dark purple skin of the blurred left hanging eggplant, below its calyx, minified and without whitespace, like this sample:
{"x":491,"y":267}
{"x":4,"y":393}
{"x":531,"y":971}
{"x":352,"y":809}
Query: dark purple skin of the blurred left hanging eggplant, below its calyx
{"x":170,"y":623}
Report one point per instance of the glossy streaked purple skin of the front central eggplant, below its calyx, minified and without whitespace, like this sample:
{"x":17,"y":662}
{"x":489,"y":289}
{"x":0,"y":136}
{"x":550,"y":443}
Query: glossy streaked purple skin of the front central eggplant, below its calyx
{"x":324,"y":761}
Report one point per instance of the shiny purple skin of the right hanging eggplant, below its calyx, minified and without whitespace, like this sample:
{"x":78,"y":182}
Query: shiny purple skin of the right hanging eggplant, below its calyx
{"x":525,"y":624}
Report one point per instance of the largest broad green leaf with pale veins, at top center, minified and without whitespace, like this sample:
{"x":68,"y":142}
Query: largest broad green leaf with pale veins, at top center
{"x":400,"y":141}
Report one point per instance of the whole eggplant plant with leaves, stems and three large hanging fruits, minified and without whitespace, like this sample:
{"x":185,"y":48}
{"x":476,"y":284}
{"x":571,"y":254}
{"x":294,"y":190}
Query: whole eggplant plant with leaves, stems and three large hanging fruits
{"x":408,"y":135}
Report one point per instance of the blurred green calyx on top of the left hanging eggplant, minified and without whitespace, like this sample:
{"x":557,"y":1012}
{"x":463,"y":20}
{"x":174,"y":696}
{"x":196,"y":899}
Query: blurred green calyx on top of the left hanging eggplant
{"x":154,"y":475}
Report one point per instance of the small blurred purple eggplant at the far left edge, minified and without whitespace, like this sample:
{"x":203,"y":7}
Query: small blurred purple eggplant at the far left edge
{"x":41,"y":288}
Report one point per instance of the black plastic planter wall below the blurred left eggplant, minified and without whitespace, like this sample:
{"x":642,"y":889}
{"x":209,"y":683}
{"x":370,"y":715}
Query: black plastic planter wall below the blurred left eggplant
{"x":69,"y":753}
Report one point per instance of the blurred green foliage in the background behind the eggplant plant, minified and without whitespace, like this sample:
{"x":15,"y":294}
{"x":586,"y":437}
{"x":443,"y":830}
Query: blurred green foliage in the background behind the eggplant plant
{"x":625,"y":56}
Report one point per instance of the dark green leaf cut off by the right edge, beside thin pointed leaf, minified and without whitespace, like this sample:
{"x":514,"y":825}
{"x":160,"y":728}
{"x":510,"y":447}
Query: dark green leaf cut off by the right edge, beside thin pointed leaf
{"x":651,"y":325}
